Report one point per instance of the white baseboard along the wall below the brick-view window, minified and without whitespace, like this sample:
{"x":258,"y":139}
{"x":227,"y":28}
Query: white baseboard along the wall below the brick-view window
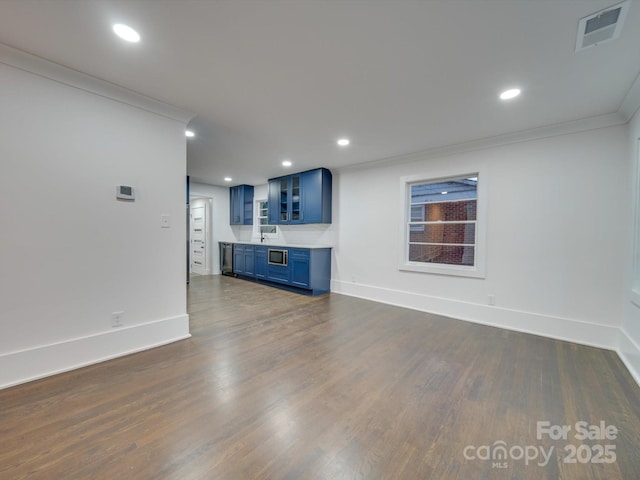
{"x":595,"y":335}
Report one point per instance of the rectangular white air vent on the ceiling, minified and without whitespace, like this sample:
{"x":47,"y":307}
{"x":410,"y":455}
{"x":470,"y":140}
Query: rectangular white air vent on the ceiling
{"x":602,"y":26}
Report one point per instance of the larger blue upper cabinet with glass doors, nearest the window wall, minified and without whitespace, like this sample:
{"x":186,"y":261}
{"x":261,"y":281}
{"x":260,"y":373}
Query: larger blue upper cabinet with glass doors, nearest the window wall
{"x":300,"y":198}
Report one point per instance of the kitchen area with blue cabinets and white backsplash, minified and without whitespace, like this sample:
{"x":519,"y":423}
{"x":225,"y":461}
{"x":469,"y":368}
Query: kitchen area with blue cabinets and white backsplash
{"x":279,"y":233}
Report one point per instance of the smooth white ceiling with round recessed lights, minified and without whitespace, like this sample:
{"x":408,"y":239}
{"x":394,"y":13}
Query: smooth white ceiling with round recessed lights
{"x":273,"y":80}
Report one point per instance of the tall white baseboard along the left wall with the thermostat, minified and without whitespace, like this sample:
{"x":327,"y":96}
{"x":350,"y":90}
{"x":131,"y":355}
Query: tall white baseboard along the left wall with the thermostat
{"x":39,"y":362}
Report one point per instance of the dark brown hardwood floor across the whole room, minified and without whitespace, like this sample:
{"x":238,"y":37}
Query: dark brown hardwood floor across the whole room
{"x":275,"y":385}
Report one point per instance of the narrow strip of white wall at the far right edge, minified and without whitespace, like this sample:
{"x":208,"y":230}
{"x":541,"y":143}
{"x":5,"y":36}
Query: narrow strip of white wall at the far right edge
{"x":629,"y":347}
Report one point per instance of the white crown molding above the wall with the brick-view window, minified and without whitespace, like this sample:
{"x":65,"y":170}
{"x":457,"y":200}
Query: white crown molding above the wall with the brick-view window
{"x":567,"y":128}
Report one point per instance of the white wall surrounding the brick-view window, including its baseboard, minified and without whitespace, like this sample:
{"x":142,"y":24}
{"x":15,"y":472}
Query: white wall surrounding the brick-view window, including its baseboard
{"x":557,"y":212}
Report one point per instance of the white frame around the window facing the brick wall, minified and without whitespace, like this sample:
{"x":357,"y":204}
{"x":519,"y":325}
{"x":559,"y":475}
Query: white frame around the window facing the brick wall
{"x":478,"y":270}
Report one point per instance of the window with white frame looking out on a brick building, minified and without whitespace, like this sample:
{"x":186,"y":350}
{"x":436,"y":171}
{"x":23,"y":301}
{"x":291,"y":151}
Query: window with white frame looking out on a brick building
{"x":442,"y":231}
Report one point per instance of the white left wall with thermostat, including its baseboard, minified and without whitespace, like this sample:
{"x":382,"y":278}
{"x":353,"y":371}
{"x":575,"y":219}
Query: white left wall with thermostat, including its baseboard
{"x":71,"y":254}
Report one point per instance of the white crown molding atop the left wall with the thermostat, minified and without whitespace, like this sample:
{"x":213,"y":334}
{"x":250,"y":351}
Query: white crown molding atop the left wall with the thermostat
{"x":73,"y":78}
